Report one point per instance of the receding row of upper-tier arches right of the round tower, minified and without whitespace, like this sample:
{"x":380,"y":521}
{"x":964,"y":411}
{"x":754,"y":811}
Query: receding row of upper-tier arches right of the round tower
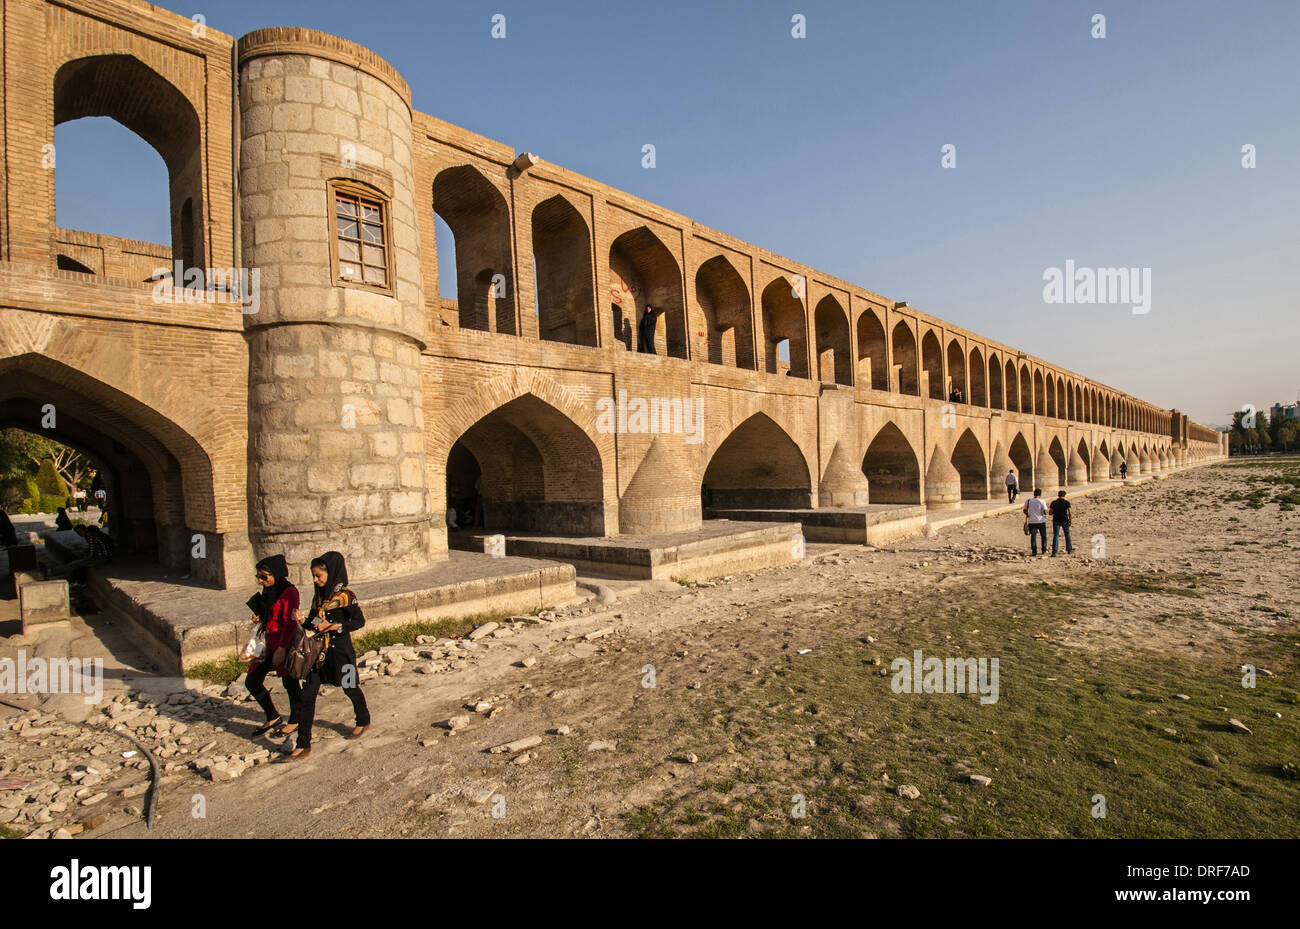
{"x":643,"y":271}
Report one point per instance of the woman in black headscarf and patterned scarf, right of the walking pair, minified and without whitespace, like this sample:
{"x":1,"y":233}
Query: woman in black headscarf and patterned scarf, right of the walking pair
{"x":335,"y":613}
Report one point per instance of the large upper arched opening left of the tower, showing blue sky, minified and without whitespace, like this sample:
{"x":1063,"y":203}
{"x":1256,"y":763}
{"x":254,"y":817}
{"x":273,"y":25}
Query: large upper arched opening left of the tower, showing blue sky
{"x":127,"y":92}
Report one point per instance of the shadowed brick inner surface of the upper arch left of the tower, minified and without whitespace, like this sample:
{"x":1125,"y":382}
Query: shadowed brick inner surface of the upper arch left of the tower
{"x":124,"y":89}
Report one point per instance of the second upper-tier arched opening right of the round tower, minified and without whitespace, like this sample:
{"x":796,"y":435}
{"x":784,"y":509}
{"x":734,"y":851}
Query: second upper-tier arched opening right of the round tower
{"x":562,"y":255}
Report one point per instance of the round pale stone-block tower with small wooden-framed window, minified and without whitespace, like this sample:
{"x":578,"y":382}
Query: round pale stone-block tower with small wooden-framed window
{"x":336,"y":416}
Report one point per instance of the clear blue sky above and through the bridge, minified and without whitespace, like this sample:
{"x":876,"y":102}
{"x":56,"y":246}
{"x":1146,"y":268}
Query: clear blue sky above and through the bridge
{"x":1117,"y":151}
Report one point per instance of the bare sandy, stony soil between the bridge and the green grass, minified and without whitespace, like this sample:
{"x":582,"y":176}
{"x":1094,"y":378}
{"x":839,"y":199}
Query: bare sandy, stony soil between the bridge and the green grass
{"x":410,"y":778}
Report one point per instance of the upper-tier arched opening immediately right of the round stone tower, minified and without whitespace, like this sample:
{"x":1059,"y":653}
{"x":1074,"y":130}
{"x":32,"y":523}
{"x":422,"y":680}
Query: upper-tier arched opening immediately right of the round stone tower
{"x":479,"y":220}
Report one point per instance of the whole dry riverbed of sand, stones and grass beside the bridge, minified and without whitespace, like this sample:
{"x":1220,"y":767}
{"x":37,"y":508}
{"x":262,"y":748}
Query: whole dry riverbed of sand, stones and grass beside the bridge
{"x":764,"y":705}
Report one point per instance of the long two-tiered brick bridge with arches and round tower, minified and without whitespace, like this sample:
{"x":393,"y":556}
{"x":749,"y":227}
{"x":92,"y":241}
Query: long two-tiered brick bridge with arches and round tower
{"x":337,"y":402}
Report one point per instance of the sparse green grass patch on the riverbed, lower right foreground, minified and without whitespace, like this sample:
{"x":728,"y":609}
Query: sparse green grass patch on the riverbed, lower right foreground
{"x":1068,"y":726}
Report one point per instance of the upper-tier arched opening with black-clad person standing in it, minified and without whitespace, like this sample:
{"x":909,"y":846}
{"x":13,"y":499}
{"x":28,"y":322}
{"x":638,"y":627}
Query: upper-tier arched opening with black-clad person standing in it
{"x":642,"y":266}
